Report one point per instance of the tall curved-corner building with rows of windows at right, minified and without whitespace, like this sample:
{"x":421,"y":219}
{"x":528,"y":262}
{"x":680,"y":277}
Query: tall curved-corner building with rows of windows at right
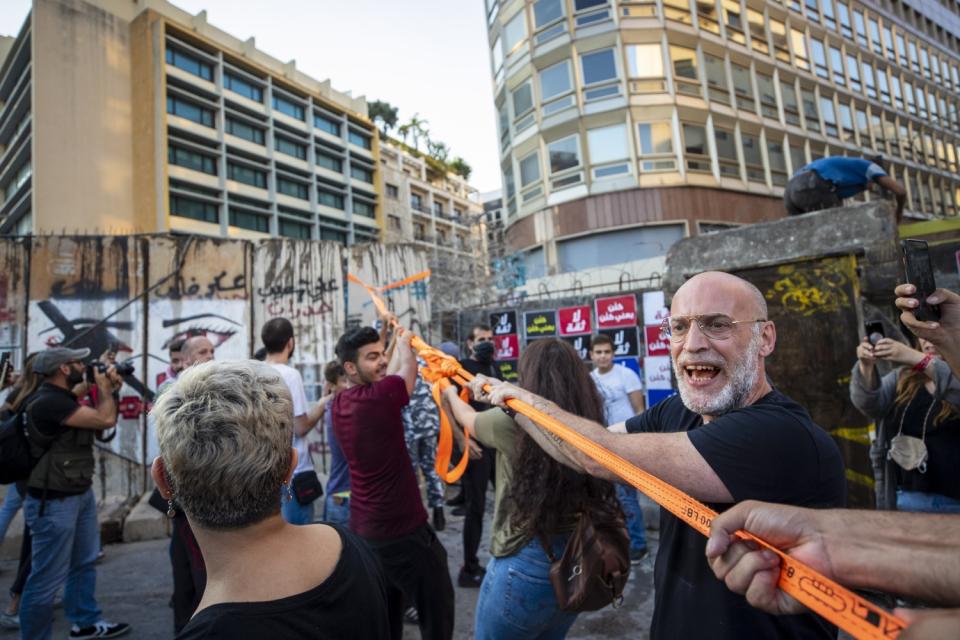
{"x":627,"y":124}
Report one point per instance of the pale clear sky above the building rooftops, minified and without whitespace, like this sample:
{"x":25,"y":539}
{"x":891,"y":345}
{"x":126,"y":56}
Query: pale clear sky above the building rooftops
{"x":424,"y":56}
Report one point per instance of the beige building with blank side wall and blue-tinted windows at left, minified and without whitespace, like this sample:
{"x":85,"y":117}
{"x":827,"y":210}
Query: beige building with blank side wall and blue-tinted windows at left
{"x":124,"y":117}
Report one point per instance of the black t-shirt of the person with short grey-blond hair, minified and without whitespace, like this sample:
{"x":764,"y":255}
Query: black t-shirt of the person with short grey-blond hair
{"x":350,"y":603}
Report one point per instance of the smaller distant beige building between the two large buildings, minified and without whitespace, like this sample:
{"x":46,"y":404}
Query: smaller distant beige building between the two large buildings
{"x":436,"y":210}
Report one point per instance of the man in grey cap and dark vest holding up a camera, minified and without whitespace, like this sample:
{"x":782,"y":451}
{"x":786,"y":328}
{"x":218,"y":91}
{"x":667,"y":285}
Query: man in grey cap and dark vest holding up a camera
{"x":60,"y":507}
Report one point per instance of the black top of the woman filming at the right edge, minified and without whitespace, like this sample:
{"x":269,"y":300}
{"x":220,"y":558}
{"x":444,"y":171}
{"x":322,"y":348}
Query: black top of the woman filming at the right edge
{"x":942,"y":474}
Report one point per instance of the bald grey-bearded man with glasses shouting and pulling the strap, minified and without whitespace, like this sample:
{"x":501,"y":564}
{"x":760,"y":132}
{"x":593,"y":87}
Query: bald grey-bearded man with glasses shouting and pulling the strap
{"x":728,"y":436}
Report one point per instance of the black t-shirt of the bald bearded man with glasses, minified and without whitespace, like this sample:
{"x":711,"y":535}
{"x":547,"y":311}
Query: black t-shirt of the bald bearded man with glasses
{"x":771,"y":451}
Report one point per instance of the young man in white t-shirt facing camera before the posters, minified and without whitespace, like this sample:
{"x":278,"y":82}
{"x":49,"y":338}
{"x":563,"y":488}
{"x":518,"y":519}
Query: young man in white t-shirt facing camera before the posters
{"x":622,"y":394}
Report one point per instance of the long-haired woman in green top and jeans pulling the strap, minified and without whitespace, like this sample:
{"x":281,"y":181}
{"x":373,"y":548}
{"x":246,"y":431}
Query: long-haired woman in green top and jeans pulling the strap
{"x":537,"y":498}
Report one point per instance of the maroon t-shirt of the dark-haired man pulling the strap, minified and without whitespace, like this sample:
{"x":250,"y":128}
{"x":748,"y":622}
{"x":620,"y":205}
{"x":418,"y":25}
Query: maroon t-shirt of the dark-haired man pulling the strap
{"x":384,"y":496}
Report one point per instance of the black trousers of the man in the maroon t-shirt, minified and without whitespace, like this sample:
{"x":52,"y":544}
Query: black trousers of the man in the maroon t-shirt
{"x":416,"y":567}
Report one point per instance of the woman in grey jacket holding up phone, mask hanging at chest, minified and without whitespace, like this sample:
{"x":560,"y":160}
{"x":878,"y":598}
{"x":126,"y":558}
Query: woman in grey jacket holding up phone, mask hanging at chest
{"x":916,"y":453}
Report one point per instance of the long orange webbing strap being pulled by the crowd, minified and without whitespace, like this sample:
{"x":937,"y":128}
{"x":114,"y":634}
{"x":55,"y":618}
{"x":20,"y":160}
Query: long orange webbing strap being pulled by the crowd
{"x":837,"y":604}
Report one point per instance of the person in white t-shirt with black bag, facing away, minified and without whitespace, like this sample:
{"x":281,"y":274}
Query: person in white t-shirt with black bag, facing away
{"x":297,"y":505}
